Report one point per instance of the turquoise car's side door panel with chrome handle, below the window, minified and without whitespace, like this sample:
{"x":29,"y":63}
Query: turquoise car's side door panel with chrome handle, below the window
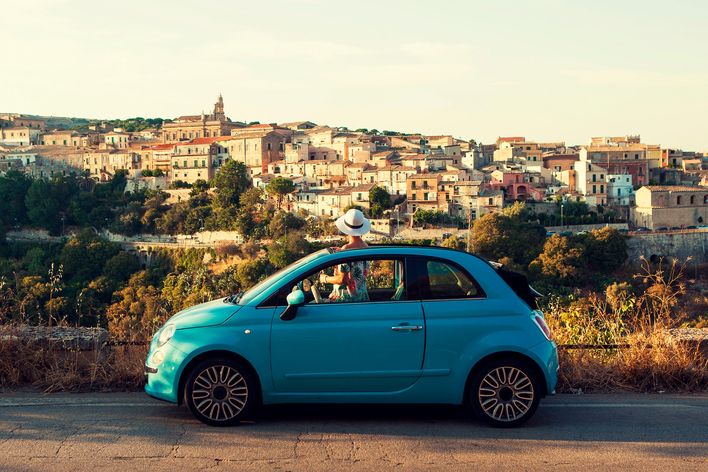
{"x":348,"y":347}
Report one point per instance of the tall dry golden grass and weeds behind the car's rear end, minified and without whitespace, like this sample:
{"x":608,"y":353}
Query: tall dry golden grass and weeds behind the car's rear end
{"x":638,"y":319}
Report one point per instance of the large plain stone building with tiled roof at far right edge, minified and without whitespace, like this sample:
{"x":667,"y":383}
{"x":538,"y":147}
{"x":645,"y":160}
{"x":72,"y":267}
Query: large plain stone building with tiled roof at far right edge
{"x":670,"y":206}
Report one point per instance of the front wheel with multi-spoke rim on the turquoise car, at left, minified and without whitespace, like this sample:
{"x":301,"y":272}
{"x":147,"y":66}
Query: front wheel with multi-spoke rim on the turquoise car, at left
{"x":221,"y":392}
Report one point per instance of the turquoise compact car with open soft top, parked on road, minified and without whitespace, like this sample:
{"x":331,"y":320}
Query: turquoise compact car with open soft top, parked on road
{"x":427,"y":325}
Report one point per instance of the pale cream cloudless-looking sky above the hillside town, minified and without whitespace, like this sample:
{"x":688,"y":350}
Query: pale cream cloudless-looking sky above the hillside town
{"x":550,"y":70}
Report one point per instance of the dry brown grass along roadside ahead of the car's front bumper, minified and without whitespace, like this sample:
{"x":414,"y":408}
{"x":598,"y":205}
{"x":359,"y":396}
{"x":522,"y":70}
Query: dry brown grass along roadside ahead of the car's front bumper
{"x":52,"y":369}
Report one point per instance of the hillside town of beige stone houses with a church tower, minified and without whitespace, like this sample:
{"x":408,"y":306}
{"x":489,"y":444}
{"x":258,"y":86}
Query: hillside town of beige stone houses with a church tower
{"x":648,"y":186}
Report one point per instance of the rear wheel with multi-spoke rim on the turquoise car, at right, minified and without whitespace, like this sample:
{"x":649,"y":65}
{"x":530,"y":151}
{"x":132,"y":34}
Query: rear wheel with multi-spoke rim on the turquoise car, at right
{"x":505,"y":392}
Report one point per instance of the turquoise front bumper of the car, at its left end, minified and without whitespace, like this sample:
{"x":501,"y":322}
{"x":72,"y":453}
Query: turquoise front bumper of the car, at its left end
{"x":162,"y":381}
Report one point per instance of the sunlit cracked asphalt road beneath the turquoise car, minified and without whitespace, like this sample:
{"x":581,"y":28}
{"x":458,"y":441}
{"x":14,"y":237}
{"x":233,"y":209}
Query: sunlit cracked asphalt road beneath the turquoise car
{"x":133,"y":432}
